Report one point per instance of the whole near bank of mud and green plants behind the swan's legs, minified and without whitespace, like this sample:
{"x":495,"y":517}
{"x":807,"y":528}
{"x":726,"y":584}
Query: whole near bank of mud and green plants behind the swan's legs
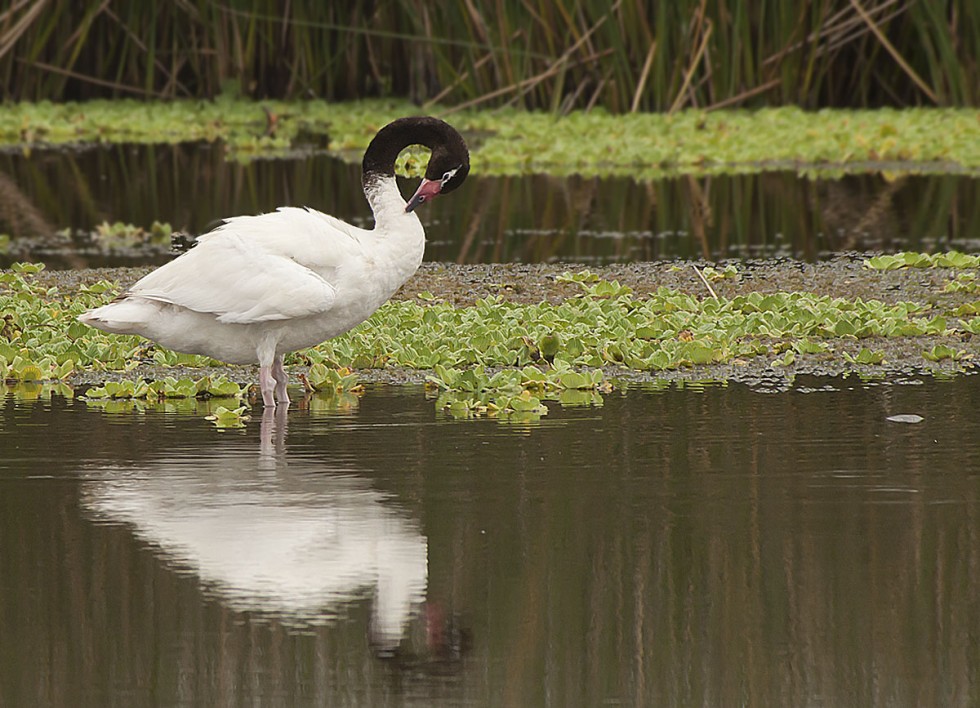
{"x":501,"y":340}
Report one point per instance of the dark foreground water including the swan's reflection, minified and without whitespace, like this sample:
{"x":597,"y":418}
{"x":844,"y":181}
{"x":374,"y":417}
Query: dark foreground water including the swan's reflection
{"x":715,"y":546}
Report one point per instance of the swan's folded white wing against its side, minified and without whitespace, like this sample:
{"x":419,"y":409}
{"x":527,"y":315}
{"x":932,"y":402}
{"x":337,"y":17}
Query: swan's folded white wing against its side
{"x":238,"y":283}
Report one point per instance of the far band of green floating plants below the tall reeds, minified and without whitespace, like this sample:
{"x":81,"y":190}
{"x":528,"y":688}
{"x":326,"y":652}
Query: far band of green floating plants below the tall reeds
{"x":513,"y":142}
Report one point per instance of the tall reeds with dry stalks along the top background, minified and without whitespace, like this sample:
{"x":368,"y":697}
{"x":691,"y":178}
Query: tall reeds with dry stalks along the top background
{"x":544,"y":54}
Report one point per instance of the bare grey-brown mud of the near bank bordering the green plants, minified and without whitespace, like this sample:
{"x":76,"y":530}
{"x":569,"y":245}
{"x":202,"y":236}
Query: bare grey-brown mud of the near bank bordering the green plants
{"x":842,"y":276}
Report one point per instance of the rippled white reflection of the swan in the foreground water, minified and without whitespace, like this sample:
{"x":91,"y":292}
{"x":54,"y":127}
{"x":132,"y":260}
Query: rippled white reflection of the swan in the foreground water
{"x":288,"y":537}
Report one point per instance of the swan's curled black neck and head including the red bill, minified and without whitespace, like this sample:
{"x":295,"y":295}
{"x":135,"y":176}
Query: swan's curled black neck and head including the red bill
{"x":448,"y":165}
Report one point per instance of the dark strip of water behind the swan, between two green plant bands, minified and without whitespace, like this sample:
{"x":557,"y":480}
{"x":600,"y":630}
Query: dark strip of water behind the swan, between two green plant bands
{"x":492,"y":220}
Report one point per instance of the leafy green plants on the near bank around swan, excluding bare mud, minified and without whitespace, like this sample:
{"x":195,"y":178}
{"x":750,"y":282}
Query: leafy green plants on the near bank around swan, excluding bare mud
{"x":549,"y":349}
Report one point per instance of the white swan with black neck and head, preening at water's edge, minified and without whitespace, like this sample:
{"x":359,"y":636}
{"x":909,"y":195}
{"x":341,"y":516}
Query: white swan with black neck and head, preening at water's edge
{"x":258,"y":287}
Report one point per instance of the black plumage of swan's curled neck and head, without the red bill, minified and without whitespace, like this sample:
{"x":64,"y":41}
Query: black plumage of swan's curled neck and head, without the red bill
{"x":447,"y":146}
